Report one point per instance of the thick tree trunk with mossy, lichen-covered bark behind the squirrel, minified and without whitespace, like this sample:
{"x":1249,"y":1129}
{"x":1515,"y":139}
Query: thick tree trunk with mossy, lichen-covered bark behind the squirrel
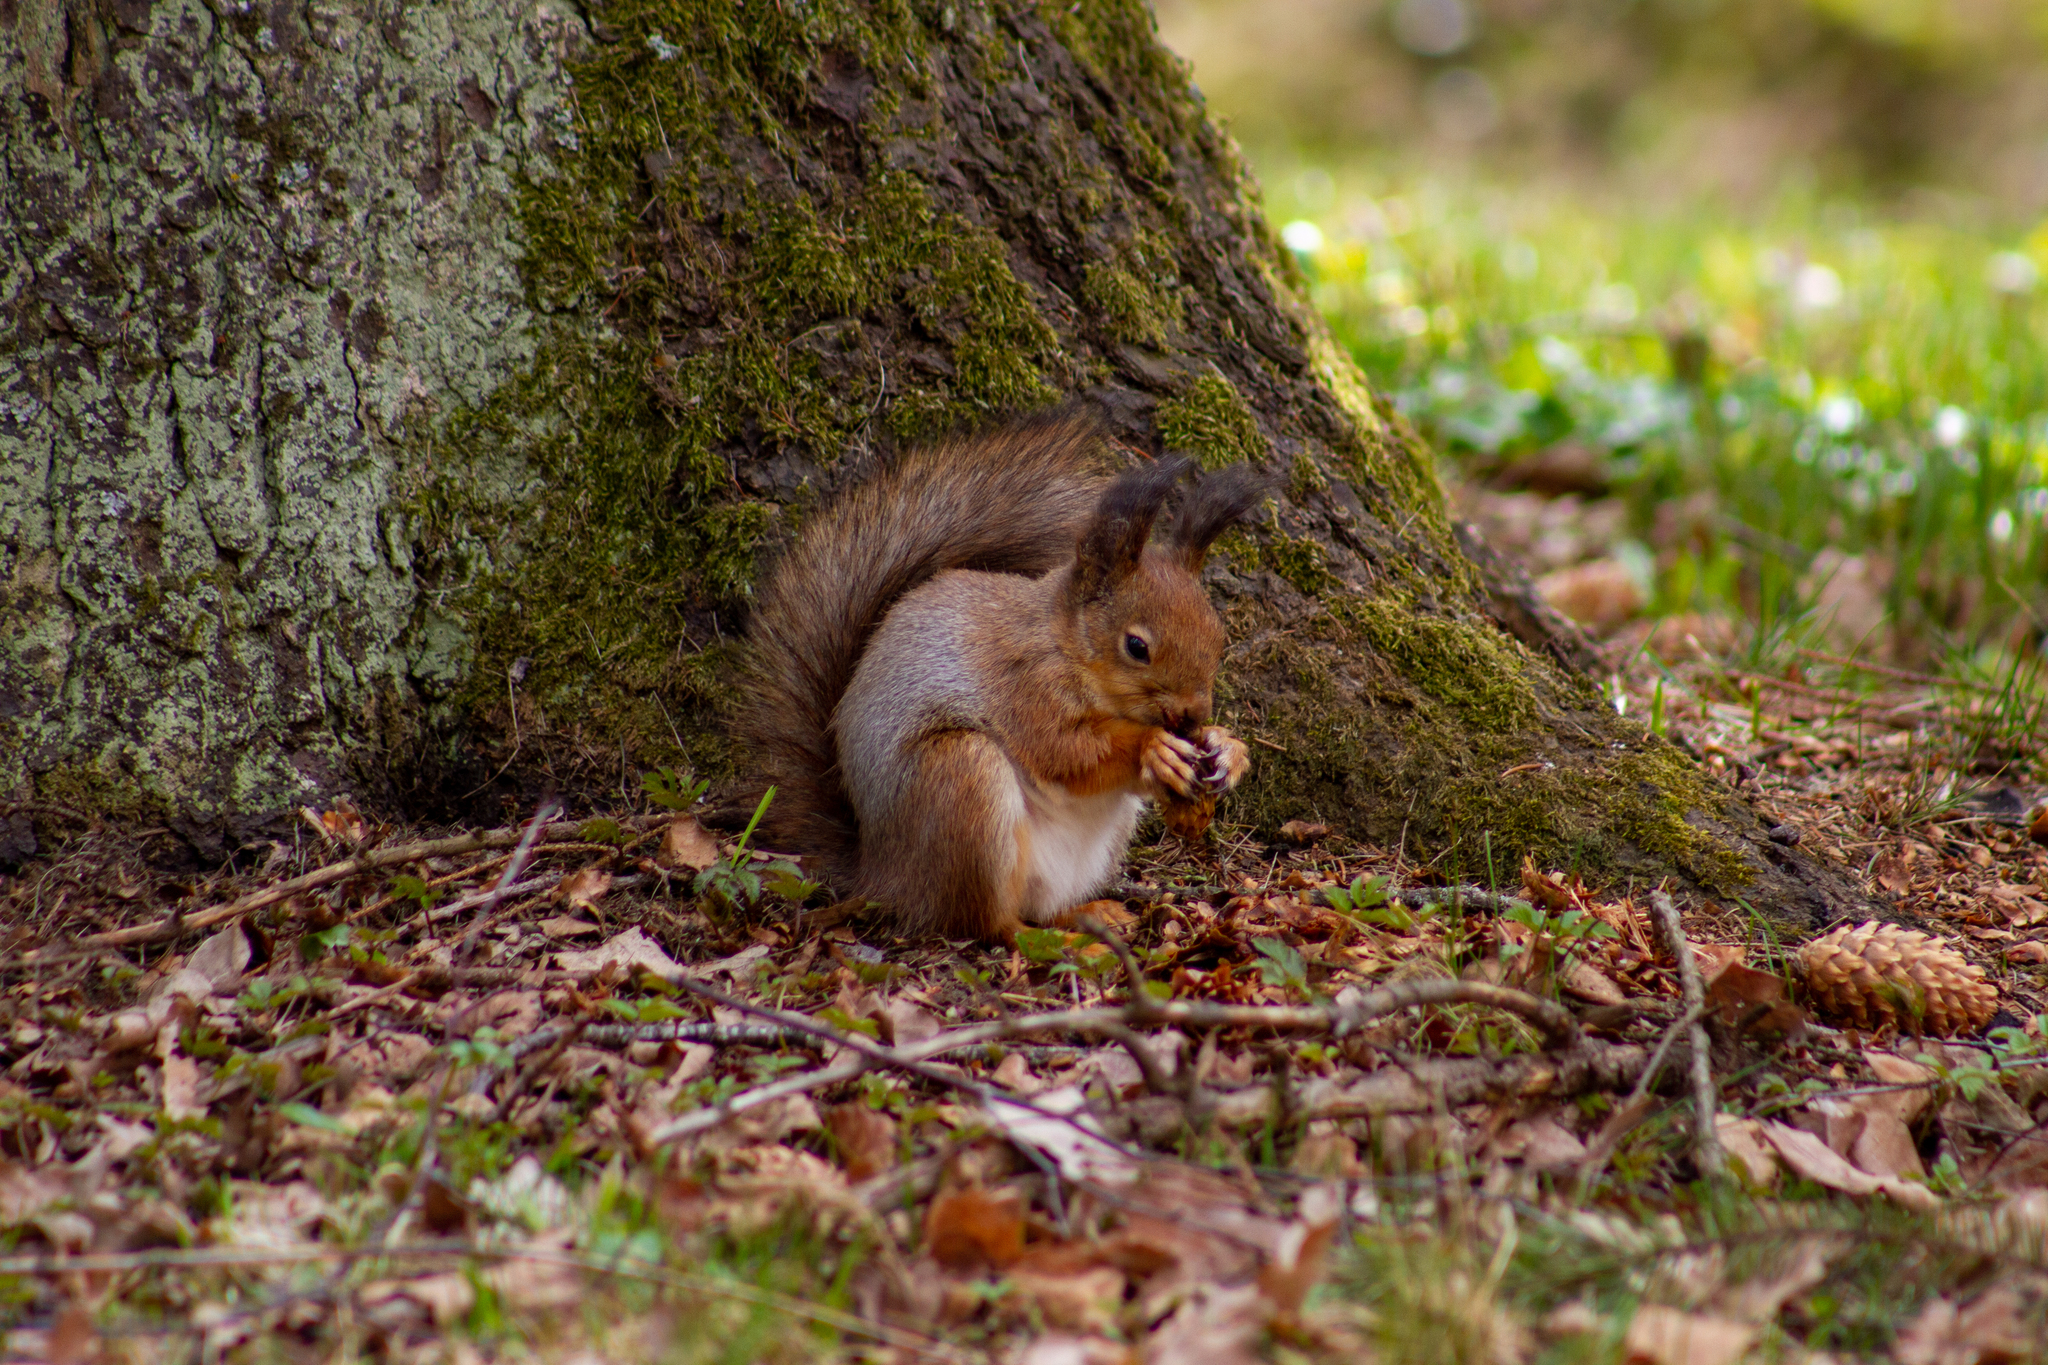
{"x":404,"y":398}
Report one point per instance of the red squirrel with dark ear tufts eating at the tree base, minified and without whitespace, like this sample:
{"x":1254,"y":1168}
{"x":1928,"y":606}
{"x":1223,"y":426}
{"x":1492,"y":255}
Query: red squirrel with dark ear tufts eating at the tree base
{"x":974,"y":670}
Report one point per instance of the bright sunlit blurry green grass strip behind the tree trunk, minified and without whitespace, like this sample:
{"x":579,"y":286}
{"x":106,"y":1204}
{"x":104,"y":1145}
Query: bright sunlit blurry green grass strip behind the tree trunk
{"x":1760,"y":388}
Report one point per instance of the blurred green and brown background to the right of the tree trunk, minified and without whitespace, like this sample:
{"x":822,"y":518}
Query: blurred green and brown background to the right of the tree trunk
{"x":1723,"y":312}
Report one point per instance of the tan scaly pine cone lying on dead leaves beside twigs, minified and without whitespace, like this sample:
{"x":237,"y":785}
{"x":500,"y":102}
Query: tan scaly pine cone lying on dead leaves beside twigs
{"x":1881,"y":975}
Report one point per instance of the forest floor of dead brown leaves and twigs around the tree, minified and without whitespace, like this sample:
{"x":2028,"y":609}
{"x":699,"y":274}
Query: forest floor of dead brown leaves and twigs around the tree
{"x":603,"y":1090}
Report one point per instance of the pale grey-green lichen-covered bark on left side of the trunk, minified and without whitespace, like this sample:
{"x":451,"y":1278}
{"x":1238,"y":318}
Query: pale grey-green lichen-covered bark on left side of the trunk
{"x":243,"y":251}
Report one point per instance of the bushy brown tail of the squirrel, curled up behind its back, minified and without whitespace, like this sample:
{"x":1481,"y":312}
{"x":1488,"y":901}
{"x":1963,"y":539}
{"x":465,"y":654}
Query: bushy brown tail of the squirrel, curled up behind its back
{"x":1011,"y":500}
